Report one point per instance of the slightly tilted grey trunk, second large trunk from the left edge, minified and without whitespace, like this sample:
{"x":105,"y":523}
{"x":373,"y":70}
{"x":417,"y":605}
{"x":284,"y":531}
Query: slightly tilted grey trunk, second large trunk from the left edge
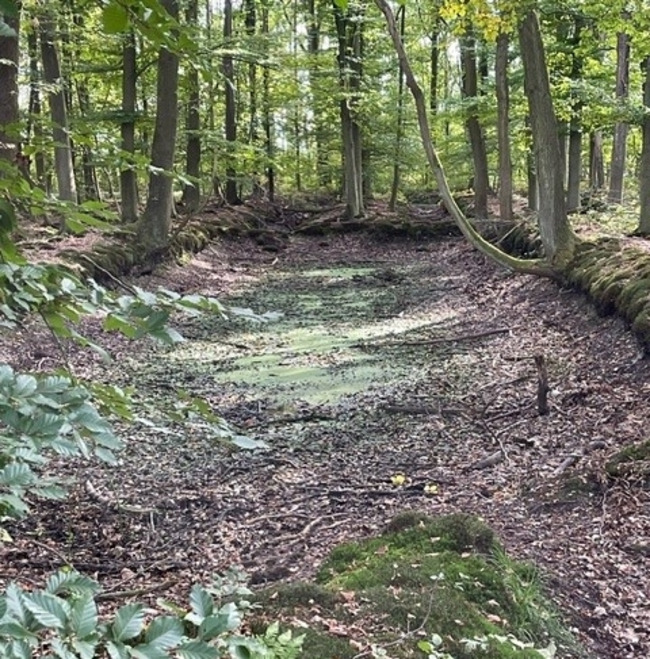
{"x":63,"y":166}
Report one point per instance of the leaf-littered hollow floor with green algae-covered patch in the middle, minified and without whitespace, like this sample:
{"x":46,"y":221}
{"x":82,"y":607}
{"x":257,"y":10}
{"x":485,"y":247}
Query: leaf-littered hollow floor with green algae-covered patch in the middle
{"x":392,"y":359}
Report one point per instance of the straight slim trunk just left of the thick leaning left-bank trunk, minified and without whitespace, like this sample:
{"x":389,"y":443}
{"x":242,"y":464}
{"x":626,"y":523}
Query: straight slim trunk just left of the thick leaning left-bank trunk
{"x":128,"y":179}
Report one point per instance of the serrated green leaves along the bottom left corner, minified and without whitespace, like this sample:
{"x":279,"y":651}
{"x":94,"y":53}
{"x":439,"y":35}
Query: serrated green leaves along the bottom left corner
{"x":63,"y":620}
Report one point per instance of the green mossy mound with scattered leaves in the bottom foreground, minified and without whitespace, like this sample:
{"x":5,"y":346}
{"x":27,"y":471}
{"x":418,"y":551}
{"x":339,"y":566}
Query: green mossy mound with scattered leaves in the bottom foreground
{"x":444,"y":581}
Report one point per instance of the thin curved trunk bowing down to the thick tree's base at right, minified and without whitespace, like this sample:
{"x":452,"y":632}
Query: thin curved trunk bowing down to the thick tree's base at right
{"x":530,"y":266}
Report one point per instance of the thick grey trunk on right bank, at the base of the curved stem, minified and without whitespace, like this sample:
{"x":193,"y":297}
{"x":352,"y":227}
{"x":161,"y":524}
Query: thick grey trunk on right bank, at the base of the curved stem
{"x":555,"y":230}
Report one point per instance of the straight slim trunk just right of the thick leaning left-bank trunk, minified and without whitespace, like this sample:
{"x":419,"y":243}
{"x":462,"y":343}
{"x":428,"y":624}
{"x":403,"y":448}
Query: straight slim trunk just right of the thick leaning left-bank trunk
{"x":192,"y":191}
